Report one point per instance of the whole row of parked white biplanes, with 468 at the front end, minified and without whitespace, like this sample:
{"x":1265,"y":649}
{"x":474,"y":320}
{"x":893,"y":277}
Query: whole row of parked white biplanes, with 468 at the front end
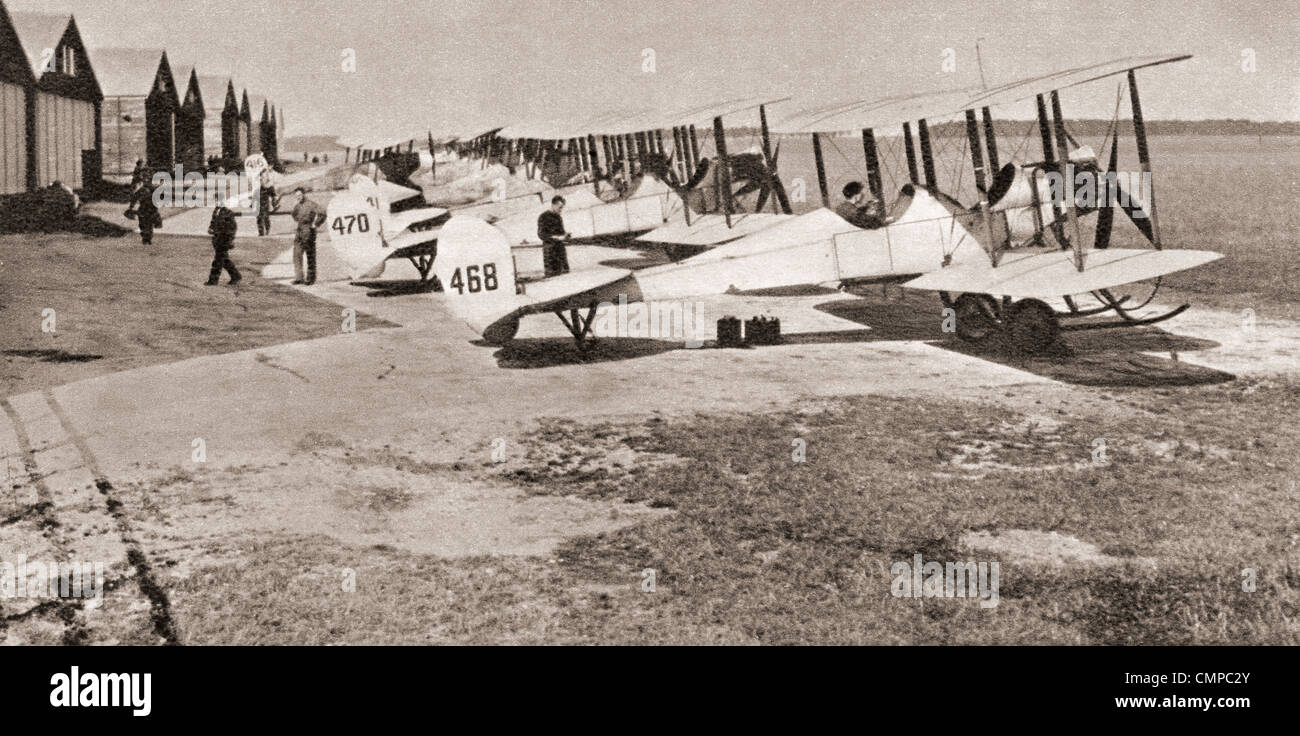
{"x":1017,"y":262}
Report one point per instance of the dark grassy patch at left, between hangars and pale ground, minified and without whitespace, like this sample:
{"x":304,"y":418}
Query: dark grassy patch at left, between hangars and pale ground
{"x":119,"y":305}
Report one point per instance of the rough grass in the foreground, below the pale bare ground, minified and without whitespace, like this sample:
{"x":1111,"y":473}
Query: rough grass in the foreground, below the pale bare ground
{"x":1198,"y":487}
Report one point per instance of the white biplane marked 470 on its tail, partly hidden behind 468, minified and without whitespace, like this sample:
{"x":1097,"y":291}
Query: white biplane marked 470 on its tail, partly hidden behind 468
{"x":640,"y":197}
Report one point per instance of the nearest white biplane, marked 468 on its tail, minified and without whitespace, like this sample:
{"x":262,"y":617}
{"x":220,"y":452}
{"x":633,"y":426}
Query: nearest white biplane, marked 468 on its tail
{"x":1034,"y":232}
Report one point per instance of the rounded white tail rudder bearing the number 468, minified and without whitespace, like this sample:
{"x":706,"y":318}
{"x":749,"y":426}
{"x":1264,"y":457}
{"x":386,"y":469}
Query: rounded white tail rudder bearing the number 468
{"x":478,"y":274}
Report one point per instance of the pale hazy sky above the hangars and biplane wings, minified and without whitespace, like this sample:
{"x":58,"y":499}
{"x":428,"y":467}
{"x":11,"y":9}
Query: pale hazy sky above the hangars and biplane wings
{"x":462,"y":67}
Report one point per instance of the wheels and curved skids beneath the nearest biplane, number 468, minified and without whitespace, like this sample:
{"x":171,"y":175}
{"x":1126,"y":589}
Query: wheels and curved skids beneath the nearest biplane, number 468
{"x":1030,"y":327}
